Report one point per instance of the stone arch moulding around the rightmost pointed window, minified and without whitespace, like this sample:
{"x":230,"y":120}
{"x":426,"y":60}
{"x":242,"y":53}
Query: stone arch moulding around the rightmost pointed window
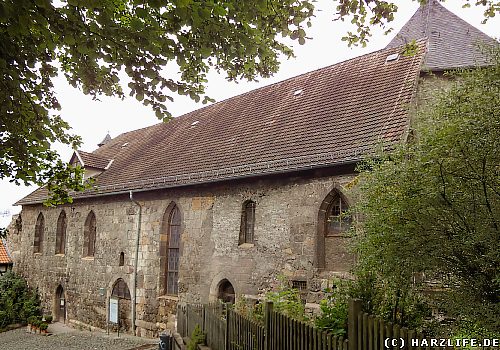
{"x":320,"y":256}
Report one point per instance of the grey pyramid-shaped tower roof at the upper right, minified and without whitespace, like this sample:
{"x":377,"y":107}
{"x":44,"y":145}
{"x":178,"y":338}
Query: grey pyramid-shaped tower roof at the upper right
{"x":452,"y":42}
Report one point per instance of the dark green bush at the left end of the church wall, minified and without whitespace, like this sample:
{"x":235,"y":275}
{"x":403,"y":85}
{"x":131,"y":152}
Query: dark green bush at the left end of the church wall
{"x":17,"y":301}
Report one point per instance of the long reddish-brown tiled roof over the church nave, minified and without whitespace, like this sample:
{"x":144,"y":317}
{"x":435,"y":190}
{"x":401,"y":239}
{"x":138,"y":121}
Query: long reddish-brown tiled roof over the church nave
{"x":330,"y":116}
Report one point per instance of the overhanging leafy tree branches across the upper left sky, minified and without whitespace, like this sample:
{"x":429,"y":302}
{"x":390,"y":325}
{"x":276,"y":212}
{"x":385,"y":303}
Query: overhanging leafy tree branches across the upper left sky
{"x":92,"y":41}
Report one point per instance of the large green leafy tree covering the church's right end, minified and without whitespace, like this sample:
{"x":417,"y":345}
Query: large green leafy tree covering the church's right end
{"x":433,"y":206}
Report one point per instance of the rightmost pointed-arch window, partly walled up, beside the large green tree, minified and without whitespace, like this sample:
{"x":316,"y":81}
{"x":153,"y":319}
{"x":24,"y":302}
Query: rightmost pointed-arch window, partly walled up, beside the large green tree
{"x":334,"y":221}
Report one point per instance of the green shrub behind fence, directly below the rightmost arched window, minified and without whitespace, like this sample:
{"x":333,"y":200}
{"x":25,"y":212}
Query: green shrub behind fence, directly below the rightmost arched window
{"x":334,"y":308}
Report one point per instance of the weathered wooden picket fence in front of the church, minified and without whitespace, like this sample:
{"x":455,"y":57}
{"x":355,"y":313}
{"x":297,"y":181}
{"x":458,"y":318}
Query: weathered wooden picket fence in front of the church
{"x":227,"y":330}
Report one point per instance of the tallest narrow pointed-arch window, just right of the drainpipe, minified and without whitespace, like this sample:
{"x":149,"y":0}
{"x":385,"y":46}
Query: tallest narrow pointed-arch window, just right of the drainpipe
{"x":170,"y":249}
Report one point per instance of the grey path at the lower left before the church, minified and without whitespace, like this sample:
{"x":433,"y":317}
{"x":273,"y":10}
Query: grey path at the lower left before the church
{"x":19,"y":339}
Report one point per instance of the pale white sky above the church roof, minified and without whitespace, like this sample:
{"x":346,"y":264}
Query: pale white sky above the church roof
{"x":93,"y":119}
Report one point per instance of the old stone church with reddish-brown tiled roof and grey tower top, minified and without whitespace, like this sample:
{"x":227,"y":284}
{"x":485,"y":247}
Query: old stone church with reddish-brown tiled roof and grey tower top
{"x":220,"y":201}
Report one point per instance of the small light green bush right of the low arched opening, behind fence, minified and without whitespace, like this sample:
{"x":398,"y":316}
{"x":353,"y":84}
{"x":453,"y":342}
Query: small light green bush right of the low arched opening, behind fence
{"x":287,"y":301}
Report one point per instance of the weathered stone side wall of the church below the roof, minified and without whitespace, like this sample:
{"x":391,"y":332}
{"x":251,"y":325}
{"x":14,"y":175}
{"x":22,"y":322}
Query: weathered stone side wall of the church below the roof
{"x":285,"y":238}
